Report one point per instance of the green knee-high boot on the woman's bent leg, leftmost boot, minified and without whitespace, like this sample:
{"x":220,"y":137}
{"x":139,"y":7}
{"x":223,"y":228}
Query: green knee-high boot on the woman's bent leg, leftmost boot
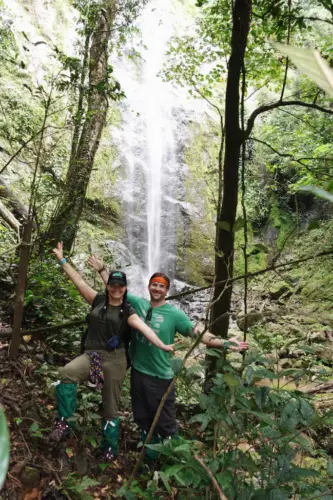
{"x":66,"y":406}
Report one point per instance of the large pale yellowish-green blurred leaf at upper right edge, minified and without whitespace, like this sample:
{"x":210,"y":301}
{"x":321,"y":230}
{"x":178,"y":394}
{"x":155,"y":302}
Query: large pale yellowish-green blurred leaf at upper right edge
{"x":312,"y":64}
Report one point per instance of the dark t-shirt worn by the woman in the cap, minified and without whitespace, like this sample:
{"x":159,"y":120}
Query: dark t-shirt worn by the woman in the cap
{"x":104,"y":321}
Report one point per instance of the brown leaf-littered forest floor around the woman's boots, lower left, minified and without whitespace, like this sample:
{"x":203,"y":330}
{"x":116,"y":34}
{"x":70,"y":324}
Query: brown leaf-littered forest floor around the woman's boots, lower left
{"x":40,"y":470}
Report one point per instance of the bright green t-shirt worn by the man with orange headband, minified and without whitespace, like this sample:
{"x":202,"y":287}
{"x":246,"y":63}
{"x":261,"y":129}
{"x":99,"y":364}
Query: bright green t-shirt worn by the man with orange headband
{"x":166,"y":321}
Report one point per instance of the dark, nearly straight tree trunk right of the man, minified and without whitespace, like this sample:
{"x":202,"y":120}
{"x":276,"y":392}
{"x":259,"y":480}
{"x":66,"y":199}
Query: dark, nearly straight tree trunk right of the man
{"x":224,"y":257}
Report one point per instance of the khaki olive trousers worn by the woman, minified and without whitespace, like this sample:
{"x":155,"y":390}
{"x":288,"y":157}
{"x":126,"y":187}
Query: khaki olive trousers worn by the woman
{"x":114,"y":372}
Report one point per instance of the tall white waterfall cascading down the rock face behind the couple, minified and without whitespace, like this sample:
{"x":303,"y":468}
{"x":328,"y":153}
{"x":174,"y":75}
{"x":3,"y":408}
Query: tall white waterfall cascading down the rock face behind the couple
{"x":151,"y":140}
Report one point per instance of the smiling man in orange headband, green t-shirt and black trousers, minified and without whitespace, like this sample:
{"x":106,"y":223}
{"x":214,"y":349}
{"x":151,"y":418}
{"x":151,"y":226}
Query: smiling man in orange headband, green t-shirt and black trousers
{"x":151,"y":372}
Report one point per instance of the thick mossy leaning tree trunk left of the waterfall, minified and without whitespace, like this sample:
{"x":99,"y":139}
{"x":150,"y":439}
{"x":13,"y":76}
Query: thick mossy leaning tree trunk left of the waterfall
{"x":64,"y":225}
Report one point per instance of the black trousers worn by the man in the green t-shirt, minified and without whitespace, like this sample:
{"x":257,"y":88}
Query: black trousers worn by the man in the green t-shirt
{"x":146,"y":394}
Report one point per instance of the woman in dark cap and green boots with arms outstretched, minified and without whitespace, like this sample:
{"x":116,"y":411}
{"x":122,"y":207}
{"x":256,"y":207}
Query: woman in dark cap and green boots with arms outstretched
{"x":104,"y":358}
